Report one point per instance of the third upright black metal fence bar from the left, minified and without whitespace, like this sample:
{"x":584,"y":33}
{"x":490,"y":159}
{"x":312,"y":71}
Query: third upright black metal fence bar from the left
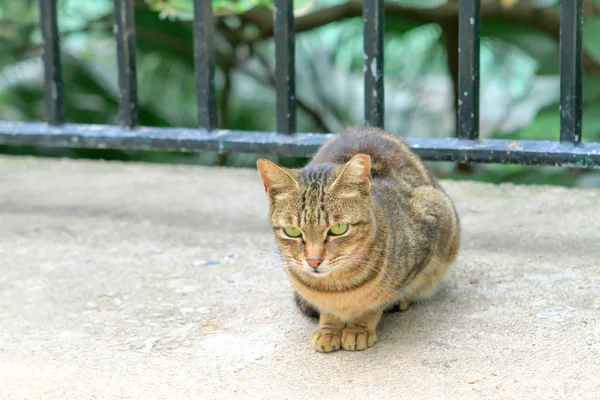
{"x":204,"y":59}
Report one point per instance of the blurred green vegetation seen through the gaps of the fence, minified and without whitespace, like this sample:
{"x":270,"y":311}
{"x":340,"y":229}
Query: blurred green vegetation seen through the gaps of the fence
{"x":519,"y":61}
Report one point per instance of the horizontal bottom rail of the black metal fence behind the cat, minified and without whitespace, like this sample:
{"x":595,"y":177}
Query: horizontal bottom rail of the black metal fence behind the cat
{"x":525,"y":152}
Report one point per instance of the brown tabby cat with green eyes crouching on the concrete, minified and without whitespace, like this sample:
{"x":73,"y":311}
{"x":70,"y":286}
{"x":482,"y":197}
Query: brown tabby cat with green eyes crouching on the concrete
{"x":363,"y":227}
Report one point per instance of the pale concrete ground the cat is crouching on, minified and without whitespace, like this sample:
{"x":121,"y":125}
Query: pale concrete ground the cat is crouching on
{"x":133,"y":281}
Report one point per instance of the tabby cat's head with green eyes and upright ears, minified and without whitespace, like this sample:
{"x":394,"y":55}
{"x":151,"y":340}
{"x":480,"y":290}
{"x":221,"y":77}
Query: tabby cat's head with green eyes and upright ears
{"x":322,"y":214}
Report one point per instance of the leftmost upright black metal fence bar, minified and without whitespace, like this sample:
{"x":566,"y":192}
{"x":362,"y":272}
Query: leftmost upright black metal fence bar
{"x":53,"y":84}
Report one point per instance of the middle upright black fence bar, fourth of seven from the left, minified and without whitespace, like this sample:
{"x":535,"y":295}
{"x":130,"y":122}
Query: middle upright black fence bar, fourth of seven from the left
{"x":285,"y":66}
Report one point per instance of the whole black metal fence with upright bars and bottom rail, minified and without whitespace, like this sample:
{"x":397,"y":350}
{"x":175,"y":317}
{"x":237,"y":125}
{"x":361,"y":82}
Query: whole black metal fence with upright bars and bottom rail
{"x":566,"y":150}
